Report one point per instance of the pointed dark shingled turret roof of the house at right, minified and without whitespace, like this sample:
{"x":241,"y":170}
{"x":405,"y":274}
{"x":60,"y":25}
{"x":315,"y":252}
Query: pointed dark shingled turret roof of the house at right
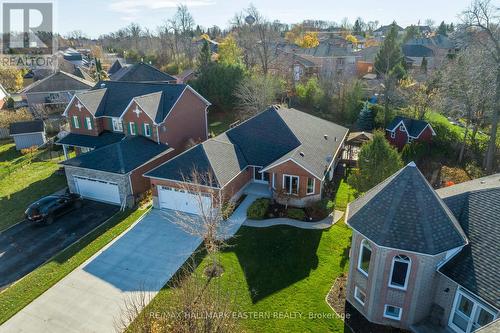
{"x":404,"y":212}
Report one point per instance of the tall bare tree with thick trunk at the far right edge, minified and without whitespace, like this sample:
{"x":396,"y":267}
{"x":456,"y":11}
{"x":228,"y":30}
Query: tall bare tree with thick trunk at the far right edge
{"x":484,"y":16}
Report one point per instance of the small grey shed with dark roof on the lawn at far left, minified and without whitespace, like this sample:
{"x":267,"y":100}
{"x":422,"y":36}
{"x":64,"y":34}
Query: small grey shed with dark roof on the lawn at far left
{"x":28,"y":134}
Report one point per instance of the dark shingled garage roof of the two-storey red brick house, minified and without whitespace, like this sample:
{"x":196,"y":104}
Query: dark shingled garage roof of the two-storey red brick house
{"x":121,"y":157}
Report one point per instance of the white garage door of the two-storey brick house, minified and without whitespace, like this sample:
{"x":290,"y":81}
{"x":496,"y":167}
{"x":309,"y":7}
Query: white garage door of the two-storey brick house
{"x":97,"y":189}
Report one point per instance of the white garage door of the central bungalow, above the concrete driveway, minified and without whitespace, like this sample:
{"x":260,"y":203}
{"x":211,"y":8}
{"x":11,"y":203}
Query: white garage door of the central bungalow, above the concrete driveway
{"x":170,"y":198}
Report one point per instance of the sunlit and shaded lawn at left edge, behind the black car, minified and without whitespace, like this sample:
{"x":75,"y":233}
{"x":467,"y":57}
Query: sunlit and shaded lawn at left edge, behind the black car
{"x":22,"y":182}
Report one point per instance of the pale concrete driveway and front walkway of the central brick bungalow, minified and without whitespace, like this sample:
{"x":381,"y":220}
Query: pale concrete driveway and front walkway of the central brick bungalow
{"x":91,"y":298}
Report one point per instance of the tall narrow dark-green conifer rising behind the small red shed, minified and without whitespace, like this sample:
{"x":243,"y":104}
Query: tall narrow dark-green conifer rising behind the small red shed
{"x":389,"y":65}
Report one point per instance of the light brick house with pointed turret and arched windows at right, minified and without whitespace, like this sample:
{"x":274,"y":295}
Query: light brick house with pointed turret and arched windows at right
{"x":426,"y":260}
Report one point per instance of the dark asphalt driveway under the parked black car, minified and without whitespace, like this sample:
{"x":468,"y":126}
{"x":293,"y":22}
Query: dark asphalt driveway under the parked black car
{"x":25,"y":246}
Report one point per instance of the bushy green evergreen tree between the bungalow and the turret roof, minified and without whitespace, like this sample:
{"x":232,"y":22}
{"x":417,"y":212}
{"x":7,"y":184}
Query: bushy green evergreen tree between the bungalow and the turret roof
{"x":377,"y":160}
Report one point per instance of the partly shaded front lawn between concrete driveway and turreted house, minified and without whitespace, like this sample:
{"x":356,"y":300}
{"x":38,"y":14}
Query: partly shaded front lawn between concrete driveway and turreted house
{"x":281,"y":270}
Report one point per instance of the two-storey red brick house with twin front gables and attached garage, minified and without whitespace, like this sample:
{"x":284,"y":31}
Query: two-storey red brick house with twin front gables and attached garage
{"x":121,"y":130}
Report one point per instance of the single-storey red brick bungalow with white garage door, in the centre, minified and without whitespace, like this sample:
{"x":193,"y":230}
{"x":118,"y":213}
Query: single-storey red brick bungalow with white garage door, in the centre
{"x":278,"y":149}
